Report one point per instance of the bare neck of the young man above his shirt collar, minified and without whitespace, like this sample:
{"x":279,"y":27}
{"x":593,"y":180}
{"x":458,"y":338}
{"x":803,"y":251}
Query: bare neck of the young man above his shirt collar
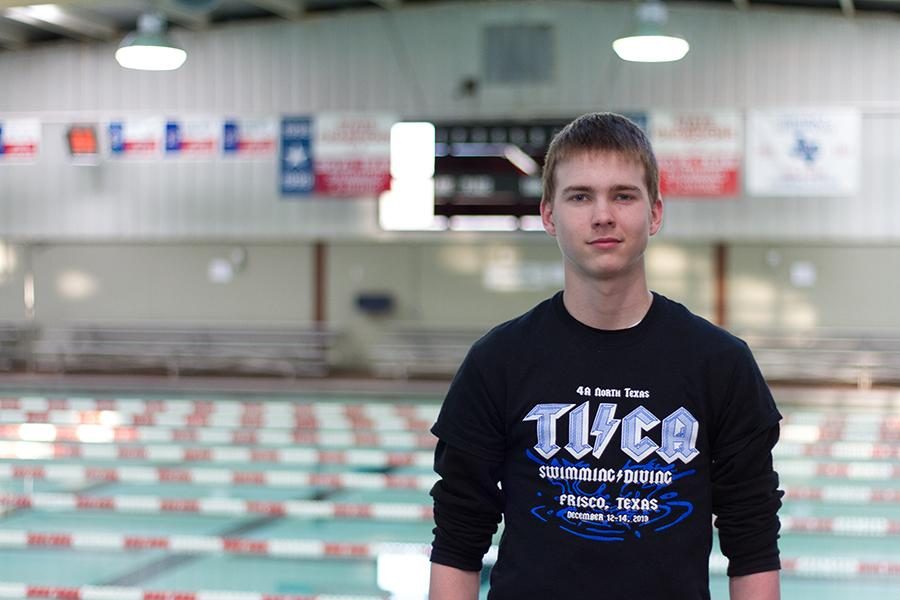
{"x":608,"y":305}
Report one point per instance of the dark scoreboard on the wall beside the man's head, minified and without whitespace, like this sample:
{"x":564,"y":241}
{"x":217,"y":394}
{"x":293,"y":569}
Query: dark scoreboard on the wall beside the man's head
{"x":490,"y":168}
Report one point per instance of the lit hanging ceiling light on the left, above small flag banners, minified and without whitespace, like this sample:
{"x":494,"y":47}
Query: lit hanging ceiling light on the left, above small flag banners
{"x":149,"y":48}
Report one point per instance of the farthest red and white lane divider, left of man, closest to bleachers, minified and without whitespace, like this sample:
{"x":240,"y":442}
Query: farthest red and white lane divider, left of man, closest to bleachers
{"x":369,"y":410}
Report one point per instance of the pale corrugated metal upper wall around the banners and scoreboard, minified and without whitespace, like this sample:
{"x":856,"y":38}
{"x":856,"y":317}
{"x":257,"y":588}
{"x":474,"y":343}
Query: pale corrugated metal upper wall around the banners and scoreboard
{"x":411,"y":62}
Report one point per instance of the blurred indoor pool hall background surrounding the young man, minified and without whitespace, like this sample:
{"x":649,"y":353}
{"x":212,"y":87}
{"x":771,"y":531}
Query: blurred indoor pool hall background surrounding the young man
{"x":242,"y":260}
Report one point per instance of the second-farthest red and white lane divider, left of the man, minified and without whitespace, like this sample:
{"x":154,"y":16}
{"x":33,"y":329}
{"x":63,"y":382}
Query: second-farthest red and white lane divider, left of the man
{"x":222,"y":421}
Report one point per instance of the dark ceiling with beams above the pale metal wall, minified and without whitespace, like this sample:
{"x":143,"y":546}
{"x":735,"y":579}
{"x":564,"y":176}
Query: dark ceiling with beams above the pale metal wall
{"x":25,"y":23}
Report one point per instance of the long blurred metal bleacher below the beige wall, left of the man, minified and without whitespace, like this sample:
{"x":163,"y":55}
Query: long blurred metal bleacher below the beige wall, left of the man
{"x":181,"y":349}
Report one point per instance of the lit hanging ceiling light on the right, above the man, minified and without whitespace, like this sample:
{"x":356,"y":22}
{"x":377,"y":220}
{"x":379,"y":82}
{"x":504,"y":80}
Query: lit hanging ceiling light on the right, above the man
{"x":649,"y":43}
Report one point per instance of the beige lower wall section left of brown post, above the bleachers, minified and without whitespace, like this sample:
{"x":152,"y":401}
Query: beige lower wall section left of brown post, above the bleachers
{"x":167,"y":283}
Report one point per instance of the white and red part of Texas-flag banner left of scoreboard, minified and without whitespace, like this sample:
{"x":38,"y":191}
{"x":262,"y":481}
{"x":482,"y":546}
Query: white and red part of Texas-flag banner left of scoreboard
{"x":353,"y":154}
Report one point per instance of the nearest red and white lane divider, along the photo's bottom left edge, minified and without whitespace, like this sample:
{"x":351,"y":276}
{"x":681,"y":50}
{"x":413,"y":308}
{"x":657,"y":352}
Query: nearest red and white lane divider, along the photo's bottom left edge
{"x":18,"y":591}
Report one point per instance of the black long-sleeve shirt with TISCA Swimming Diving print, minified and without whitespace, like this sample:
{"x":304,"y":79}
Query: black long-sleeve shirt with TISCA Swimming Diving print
{"x":607,"y":453}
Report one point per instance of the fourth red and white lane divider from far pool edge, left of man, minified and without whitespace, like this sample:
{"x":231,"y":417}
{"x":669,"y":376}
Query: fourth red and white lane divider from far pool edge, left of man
{"x":216,"y":454}
